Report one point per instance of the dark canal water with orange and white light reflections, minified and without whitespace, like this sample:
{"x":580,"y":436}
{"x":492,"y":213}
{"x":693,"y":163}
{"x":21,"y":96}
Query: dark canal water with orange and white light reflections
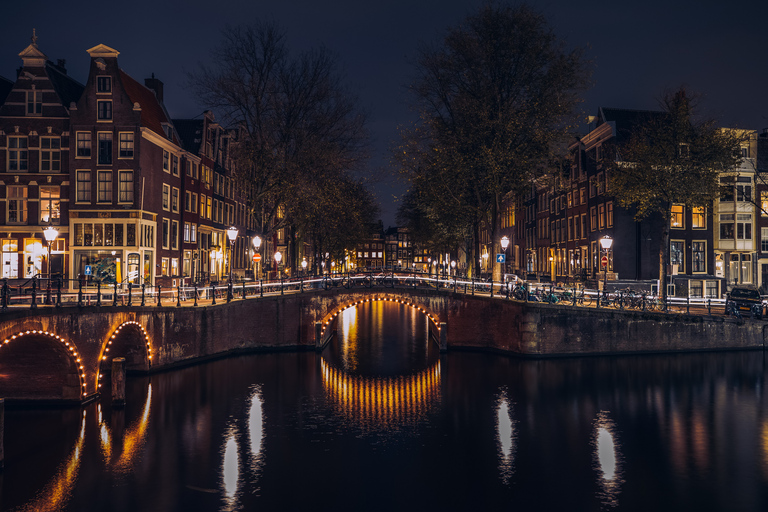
{"x":381,"y":421}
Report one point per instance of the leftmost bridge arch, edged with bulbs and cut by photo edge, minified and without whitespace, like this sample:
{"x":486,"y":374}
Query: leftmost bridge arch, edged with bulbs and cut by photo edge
{"x":25,"y":356}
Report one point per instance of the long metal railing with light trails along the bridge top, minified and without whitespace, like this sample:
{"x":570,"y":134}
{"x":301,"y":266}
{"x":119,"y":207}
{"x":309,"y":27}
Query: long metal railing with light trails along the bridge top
{"x":34,"y":293}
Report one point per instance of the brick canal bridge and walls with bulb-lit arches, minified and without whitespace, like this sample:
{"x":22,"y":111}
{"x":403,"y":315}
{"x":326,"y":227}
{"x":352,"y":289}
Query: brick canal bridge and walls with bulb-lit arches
{"x":62,"y":354}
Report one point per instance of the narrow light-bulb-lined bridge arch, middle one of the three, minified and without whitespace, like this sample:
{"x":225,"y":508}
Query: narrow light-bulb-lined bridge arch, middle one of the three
{"x":129,"y":340}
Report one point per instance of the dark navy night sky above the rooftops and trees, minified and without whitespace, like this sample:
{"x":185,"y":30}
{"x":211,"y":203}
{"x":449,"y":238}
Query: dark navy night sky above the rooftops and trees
{"x":718,"y":49}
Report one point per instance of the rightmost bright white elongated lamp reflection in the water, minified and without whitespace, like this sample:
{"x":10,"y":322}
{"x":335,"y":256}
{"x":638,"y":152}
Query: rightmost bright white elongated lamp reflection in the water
{"x":607,"y":459}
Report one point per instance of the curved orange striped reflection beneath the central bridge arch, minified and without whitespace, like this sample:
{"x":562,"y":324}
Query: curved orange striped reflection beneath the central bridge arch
{"x":384,"y":401}
